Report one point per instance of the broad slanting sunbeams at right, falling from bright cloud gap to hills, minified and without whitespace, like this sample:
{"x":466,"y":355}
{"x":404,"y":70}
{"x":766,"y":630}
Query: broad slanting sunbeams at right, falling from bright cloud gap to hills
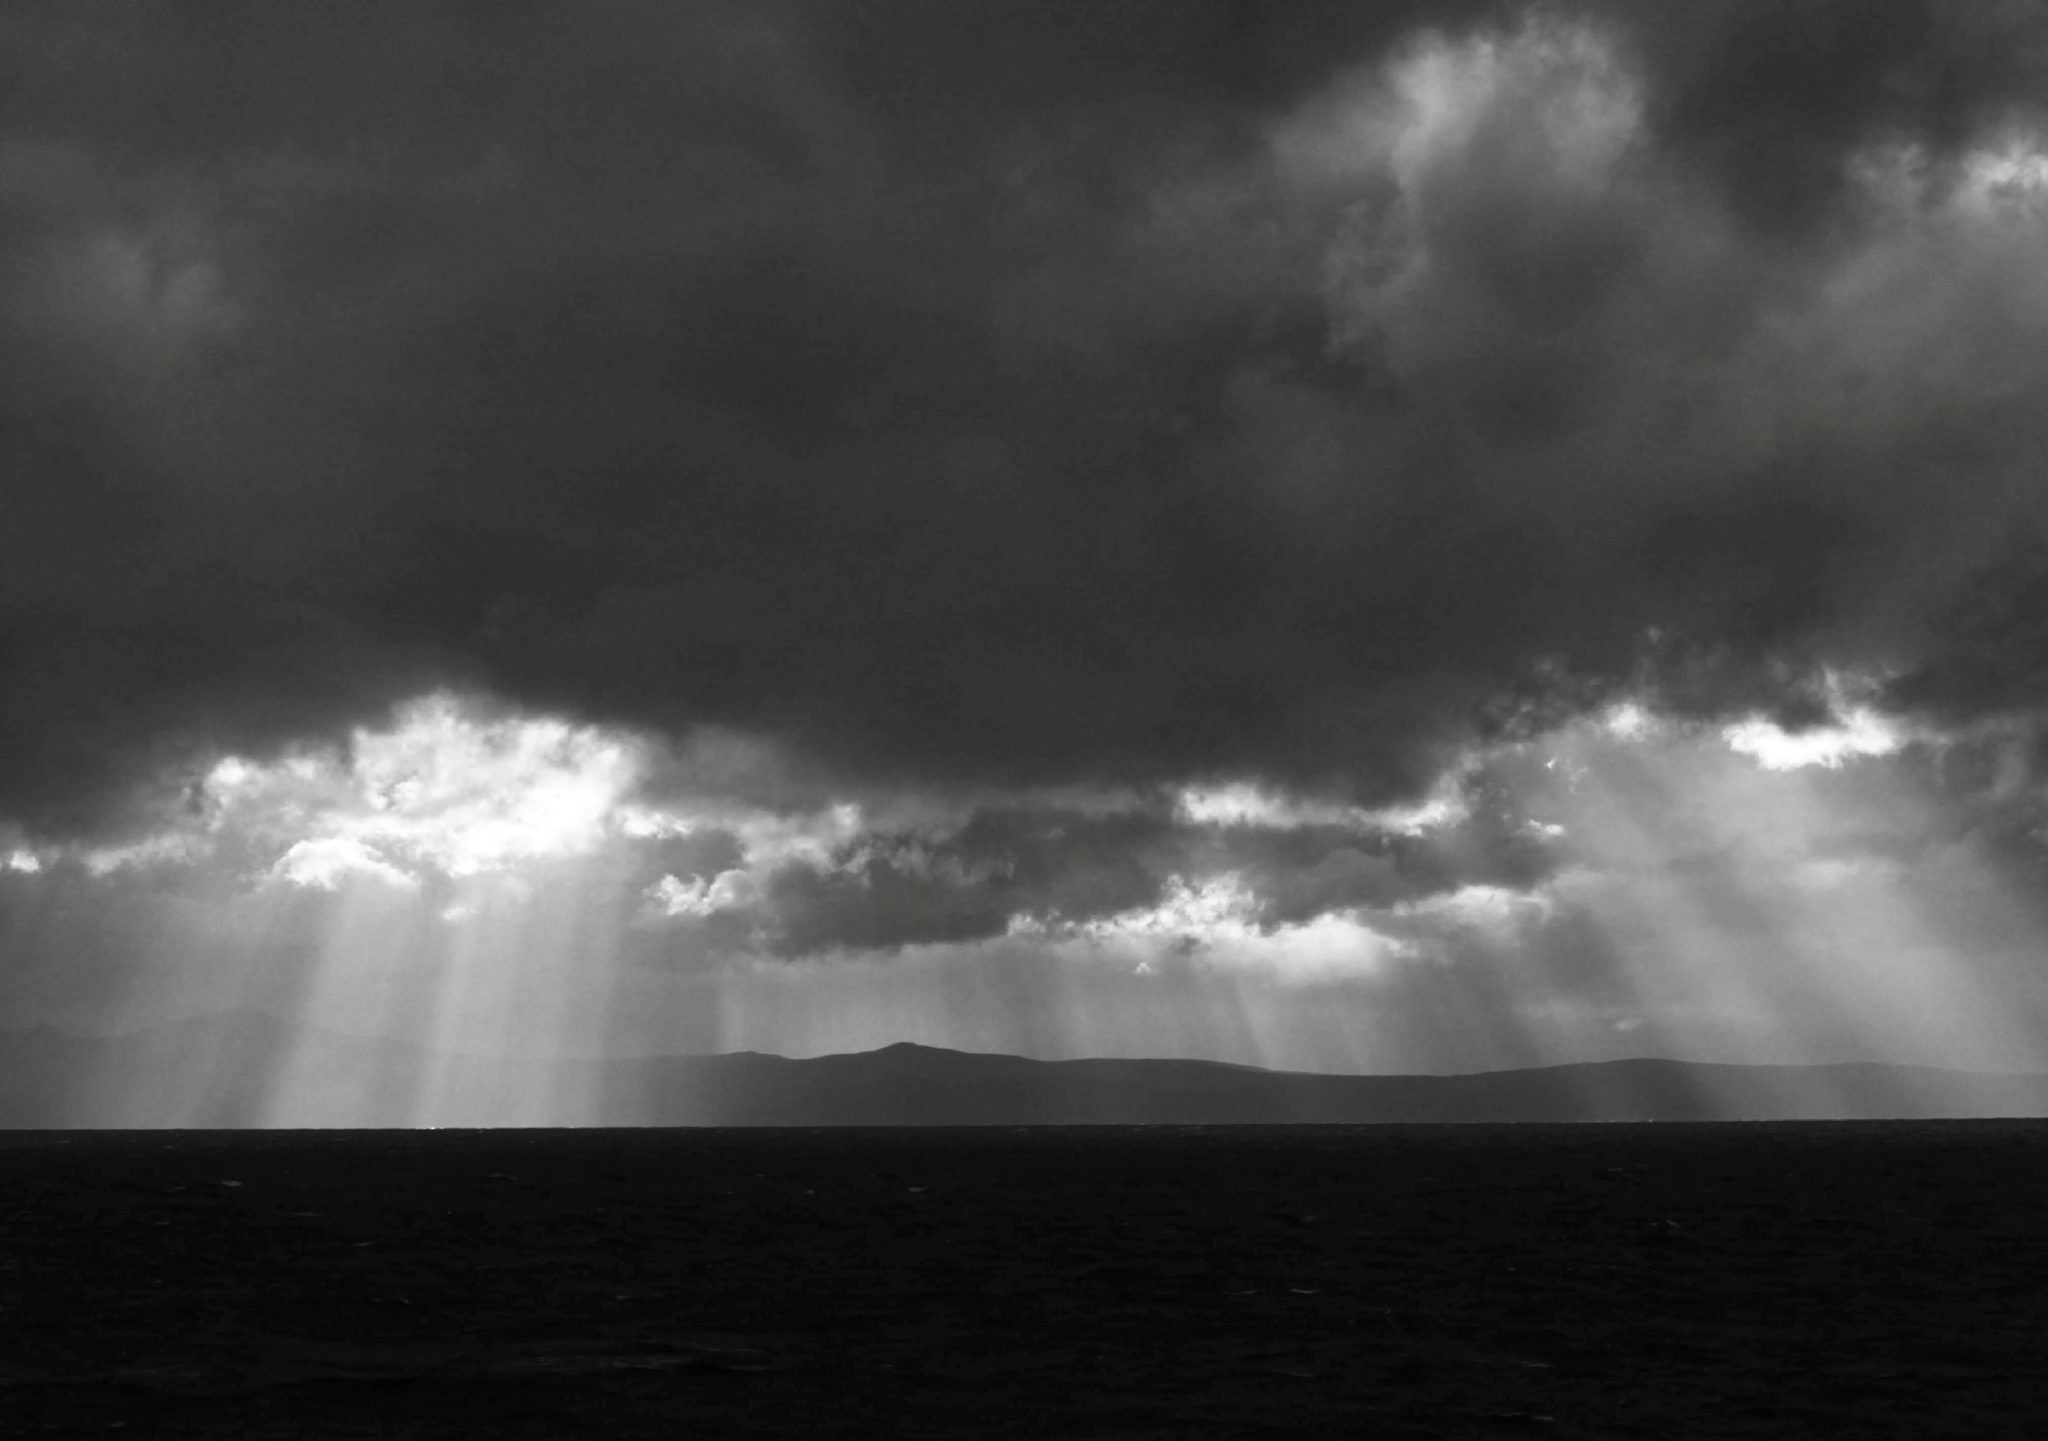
{"x":1783,"y":904}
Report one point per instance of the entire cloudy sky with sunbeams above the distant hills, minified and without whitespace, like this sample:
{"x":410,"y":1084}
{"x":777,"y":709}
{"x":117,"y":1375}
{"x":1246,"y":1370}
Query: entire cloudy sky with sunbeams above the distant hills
{"x":1404,"y":537}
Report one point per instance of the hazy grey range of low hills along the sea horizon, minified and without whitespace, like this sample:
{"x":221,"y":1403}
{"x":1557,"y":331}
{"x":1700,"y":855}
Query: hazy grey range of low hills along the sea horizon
{"x":255,"y":1069}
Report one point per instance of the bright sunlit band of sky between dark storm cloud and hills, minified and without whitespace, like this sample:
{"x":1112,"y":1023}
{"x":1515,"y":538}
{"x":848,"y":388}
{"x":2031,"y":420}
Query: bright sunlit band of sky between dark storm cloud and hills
{"x":1631,"y":883}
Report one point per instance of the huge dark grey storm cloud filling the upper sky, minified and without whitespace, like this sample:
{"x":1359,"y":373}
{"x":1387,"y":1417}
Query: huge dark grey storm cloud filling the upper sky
{"x":994,"y":394}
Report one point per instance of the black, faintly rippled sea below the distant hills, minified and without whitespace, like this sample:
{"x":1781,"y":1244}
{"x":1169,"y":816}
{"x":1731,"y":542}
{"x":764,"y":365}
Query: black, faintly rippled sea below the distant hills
{"x":1672,"y":1280}
